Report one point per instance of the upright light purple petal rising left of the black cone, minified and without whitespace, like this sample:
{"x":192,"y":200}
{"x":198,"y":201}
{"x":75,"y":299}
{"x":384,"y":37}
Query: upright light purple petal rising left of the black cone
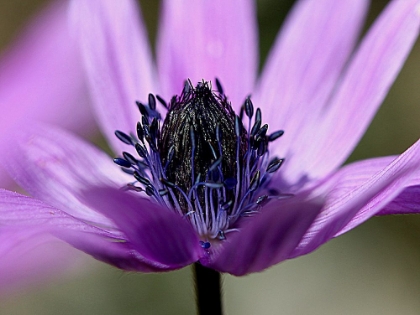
{"x":118,"y":61}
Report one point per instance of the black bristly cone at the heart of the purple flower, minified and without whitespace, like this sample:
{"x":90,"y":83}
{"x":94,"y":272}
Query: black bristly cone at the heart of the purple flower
{"x":198,"y":134}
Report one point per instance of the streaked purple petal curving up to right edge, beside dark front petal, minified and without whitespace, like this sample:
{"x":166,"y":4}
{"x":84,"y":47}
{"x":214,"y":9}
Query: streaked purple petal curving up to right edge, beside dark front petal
{"x":351,"y":200}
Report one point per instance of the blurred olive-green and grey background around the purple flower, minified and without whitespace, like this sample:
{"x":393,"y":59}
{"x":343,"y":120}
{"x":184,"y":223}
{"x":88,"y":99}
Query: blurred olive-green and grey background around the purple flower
{"x":373,"y":269}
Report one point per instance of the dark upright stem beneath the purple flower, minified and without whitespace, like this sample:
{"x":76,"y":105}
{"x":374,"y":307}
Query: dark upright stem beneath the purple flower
{"x":208,"y":290}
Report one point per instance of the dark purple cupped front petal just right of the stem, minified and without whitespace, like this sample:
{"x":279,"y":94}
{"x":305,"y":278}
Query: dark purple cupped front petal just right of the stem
{"x":265,"y":239}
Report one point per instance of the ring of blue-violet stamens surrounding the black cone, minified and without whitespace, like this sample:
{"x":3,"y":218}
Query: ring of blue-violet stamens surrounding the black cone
{"x":214,"y":199}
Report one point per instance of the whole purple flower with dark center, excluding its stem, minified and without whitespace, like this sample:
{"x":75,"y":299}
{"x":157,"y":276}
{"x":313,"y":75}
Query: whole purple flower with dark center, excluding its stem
{"x":314,"y":86}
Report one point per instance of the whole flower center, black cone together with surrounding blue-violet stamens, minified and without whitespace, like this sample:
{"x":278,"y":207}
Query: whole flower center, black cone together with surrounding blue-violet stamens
{"x":202,"y":162}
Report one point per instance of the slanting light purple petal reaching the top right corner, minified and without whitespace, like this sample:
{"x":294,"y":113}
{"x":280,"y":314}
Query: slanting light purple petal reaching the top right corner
{"x":366,"y":82}
